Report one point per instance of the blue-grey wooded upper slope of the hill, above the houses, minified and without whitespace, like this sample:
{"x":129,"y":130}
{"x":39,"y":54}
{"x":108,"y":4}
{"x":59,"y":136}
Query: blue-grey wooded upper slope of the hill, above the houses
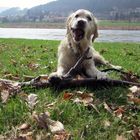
{"x":93,"y":5}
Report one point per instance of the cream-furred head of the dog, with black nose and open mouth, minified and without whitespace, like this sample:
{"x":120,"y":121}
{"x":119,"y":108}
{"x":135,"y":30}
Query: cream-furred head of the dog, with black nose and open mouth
{"x":82,"y":25}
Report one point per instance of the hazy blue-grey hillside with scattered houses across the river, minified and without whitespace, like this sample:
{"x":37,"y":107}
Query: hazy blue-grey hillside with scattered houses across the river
{"x":58,"y":10}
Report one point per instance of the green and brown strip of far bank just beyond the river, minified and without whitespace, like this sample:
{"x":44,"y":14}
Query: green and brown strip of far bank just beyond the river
{"x":103,"y":25}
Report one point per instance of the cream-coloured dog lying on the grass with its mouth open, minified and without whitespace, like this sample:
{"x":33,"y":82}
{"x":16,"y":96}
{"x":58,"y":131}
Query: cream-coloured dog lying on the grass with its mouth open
{"x":81,"y":32}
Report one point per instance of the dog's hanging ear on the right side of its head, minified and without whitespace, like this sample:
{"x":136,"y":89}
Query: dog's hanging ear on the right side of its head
{"x":95,"y":30}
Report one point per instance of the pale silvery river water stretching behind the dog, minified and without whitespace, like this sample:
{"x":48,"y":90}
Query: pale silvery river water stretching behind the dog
{"x":59,"y":34}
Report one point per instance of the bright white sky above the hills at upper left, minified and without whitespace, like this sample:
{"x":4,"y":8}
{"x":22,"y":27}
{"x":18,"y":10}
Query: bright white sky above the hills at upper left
{"x":22,"y":3}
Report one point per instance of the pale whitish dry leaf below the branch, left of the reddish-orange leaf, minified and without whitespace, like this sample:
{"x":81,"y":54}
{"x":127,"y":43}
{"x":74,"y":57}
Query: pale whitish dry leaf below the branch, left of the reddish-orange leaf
{"x":32,"y":100}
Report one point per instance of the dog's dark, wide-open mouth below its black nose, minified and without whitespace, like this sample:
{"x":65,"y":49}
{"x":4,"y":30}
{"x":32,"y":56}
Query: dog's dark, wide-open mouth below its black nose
{"x":78,"y":34}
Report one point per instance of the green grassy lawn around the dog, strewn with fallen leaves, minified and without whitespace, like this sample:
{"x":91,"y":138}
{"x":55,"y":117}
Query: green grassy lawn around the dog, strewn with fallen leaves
{"x":81,"y":122}
